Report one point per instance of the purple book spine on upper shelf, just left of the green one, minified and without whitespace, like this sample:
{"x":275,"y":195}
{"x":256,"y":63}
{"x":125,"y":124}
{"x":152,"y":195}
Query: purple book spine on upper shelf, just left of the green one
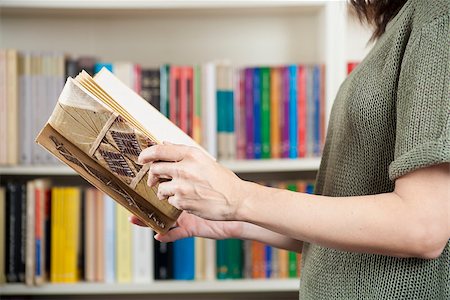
{"x":249,"y":124}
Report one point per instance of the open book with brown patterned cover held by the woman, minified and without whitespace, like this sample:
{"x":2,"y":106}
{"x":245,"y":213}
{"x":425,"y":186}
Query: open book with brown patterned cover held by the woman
{"x":99,"y":127}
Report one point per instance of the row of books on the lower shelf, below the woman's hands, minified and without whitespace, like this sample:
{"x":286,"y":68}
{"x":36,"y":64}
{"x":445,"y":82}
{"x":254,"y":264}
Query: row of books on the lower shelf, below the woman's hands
{"x":70,"y":234}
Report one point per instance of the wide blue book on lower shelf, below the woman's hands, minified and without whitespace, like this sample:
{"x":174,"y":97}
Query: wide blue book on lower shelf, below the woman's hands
{"x":184,"y":259}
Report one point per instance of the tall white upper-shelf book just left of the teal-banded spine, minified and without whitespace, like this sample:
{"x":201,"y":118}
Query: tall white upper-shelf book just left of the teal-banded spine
{"x":209,"y":108}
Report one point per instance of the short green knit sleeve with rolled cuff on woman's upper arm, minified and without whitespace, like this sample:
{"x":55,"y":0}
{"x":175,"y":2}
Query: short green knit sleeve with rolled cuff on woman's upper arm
{"x":423,"y":101}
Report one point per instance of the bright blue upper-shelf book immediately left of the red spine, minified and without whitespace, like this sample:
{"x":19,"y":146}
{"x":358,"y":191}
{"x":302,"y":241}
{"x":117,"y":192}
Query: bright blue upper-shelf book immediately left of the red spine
{"x":293,"y":112}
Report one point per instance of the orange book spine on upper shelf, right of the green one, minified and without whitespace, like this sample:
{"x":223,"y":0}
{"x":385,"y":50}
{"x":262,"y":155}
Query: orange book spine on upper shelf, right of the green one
{"x":275,"y":129}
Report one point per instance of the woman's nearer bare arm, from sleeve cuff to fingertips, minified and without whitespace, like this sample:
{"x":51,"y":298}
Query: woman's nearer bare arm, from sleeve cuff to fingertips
{"x":412,"y":221}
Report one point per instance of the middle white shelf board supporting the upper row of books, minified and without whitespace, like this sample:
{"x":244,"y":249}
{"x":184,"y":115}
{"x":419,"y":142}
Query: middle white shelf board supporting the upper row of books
{"x":238,"y":166}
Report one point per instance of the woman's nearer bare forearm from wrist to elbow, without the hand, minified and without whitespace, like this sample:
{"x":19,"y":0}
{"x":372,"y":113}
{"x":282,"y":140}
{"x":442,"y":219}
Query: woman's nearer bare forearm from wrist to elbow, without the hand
{"x":382,"y":224}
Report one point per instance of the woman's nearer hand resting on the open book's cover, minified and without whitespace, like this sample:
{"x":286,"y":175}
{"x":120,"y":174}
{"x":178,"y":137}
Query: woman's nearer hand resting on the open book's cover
{"x":198,"y":184}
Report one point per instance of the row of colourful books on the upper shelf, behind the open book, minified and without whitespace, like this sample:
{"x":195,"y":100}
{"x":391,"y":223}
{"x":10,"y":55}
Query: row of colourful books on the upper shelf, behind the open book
{"x":235,"y":113}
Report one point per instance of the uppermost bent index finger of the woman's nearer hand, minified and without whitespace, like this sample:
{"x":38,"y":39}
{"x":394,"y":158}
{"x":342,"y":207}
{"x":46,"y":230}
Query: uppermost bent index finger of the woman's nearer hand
{"x":166,"y":152}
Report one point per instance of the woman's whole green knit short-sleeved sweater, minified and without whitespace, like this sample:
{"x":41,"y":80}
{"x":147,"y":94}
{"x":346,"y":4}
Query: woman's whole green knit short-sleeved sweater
{"x":391,"y":116}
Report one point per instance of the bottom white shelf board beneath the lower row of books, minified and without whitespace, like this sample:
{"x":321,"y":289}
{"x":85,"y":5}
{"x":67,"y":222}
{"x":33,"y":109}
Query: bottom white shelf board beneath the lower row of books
{"x":163,"y":287}
